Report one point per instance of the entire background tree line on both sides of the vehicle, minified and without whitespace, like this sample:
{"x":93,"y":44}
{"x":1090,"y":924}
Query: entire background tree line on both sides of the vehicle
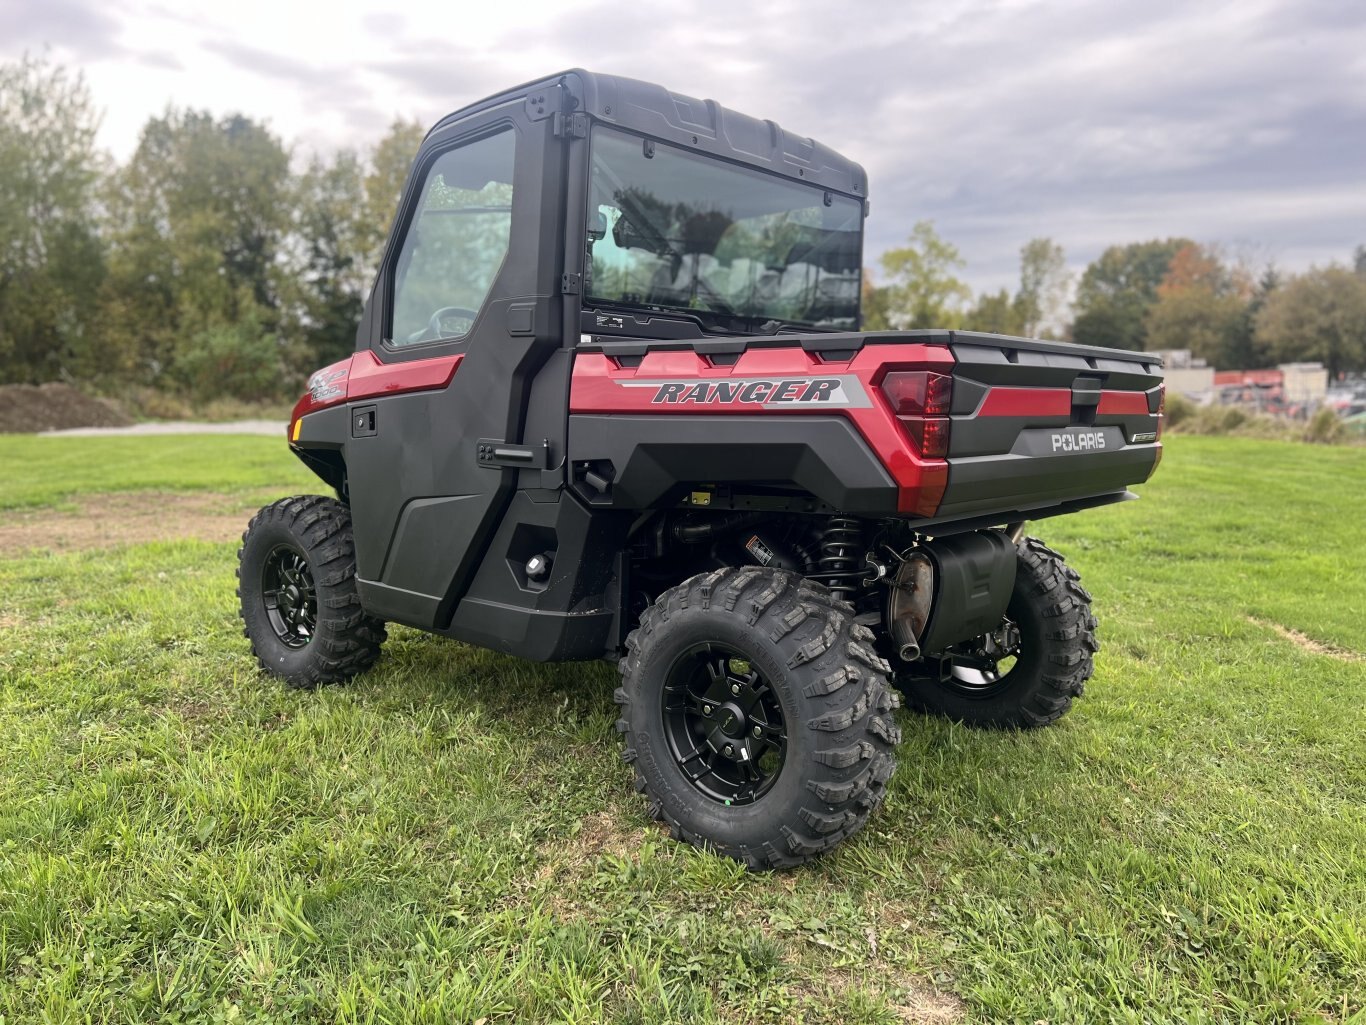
{"x":207,"y":266}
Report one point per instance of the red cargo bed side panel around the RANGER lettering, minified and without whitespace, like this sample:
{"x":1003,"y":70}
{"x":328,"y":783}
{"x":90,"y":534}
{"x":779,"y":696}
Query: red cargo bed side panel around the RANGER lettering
{"x":603,"y":385}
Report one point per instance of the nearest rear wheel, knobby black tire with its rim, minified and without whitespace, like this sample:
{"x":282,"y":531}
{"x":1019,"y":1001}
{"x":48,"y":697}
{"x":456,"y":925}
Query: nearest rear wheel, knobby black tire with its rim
{"x":757,"y":717}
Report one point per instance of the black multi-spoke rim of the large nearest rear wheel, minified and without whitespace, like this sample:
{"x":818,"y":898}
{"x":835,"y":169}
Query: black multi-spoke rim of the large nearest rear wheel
{"x":725,"y":725}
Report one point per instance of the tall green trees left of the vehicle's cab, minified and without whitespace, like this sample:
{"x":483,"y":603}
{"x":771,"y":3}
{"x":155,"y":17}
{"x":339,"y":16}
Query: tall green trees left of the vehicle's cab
{"x":204,"y":266}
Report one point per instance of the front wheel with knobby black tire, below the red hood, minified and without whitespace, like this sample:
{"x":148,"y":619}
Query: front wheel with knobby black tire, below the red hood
{"x":297,"y":591}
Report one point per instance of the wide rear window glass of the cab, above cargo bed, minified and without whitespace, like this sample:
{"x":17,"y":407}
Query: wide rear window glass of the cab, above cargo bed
{"x":680,"y":232}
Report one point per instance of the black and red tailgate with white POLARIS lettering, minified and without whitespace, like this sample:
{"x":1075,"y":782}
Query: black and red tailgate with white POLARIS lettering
{"x":1037,"y":424}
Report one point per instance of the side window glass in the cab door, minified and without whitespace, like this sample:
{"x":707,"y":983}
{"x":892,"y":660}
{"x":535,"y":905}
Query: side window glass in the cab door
{"x":456,"y":243}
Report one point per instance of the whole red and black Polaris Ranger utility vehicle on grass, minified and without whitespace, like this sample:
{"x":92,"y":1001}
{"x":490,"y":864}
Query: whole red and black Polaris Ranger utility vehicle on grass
{"x":610,"y":400}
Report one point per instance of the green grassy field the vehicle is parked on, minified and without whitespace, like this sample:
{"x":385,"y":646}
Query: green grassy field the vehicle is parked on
{"x":454,"y":838}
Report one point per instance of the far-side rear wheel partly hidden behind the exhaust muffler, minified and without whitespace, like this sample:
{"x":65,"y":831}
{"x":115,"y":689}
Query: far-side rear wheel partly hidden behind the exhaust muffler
{"x":1051,"y":613}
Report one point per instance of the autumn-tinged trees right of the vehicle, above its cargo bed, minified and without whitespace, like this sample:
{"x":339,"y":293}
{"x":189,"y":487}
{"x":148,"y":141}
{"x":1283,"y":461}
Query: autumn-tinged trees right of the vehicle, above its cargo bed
{"x":1149,"y":296}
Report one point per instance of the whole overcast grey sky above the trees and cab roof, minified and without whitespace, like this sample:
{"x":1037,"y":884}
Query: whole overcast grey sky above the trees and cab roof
{"x":1111,"y":121}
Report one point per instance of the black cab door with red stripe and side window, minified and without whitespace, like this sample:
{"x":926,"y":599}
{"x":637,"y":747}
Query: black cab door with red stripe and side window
{"x":464,"y":316}
